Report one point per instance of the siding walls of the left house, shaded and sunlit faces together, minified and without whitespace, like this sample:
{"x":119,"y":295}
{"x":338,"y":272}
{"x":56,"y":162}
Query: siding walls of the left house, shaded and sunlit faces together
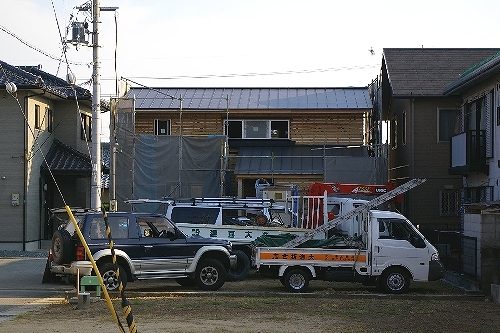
{"x":20,"y":160}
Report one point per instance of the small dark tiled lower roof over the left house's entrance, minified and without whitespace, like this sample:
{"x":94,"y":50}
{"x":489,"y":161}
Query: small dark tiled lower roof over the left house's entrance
{"x":63,"y":159}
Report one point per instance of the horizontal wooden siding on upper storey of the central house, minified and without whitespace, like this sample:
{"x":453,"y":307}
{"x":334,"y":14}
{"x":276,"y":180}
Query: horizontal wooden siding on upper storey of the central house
{"x":305,"y":128}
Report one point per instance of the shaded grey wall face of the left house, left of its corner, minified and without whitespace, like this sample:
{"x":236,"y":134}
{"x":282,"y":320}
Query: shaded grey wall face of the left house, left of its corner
{"x":11,"y":170}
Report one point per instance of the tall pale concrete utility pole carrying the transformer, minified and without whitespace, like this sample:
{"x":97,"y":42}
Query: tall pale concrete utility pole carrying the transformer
{"x":95,"y":187}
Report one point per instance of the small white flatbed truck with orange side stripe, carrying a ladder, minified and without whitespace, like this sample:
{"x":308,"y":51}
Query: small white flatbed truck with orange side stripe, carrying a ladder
{"x":389,"y":252}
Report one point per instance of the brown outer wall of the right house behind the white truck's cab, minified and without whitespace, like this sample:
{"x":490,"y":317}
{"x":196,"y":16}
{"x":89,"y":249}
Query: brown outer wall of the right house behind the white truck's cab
{"x":423,"y":157}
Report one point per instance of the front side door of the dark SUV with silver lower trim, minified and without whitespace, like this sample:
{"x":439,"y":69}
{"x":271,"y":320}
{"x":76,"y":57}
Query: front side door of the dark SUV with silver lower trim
{"x":164,"y":249}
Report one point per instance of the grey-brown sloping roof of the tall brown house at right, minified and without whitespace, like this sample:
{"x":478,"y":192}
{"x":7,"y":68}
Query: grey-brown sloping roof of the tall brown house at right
{"x":427,"y":72}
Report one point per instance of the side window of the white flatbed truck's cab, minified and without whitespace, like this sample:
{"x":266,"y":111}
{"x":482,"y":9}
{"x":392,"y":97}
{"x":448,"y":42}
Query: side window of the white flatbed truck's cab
{"x":393,"y":228}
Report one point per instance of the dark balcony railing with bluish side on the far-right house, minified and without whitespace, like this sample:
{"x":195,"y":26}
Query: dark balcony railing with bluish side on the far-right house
{"x":468,"y":153}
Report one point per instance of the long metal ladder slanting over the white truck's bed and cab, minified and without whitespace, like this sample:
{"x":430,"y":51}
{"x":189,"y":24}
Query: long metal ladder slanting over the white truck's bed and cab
{"x":364,"y":208}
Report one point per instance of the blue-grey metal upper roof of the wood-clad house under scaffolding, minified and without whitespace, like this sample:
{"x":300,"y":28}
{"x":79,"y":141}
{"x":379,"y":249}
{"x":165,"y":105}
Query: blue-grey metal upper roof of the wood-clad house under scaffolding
{"x":356,"y":98}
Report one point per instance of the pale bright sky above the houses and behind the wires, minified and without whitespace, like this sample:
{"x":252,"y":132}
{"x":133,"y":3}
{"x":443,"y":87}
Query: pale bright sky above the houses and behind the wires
{"x":243,"y":43}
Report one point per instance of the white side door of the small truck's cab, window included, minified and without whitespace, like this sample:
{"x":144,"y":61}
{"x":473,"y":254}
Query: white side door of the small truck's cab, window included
{"x":396,"y":242}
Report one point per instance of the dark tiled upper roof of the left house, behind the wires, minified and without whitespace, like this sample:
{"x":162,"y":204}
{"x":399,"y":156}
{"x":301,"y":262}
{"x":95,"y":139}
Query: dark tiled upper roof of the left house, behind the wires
{"x":32,"y":77}
